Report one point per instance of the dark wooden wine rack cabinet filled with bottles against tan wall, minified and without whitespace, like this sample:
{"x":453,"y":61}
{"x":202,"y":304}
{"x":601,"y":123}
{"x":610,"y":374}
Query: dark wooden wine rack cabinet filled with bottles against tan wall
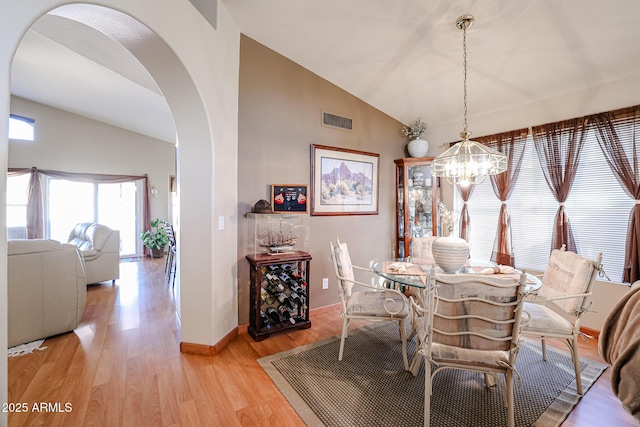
{"x":279,"y":293}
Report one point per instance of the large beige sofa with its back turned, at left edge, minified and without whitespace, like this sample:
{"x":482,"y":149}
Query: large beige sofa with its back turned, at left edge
{"x":46,"y":289}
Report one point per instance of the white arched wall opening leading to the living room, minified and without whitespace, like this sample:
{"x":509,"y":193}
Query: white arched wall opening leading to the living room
{"x":200,"y":86}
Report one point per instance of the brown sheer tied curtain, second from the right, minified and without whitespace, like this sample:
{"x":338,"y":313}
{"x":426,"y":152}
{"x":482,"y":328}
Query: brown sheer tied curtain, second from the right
{"x":559,"y":146}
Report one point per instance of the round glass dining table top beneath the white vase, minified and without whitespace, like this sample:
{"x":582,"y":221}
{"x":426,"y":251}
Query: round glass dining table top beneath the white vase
{"x":406,"y":271}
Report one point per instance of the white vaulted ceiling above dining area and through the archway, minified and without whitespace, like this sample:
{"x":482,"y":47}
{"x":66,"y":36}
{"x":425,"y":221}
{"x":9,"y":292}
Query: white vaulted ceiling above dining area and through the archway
{"x":403,"y":57}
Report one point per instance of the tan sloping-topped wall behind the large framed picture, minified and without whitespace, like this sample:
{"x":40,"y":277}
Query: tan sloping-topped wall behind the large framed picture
{"x":279,"y":118}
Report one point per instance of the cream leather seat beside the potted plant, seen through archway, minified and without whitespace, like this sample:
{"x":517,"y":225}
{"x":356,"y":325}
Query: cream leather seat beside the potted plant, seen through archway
{"x":99,"y":247}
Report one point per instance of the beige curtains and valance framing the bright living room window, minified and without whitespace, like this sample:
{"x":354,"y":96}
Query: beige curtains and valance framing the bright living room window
{"x":35,"y":204}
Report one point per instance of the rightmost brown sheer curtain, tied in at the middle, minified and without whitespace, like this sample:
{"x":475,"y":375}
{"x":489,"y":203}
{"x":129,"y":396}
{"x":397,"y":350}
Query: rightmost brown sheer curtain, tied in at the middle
{"x":618,"y":133}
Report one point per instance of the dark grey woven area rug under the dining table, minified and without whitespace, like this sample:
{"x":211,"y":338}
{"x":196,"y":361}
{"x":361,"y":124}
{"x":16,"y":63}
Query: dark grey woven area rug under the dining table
{"x":371,"y":388}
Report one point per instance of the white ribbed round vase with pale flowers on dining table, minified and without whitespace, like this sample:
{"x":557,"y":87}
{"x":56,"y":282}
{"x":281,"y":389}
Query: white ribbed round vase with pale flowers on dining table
{"x":450,"y":252}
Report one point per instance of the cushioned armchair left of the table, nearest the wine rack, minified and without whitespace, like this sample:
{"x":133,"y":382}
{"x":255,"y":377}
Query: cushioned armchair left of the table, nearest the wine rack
{"x":370,"y":303}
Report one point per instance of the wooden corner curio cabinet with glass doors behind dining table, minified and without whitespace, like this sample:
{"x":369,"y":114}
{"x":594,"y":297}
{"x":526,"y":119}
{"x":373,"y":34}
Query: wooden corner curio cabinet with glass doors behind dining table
{"x":417,"y":197}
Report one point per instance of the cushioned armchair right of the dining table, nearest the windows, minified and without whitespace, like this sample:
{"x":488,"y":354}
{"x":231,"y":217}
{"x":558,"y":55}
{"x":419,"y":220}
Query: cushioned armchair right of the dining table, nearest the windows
{"x":557,"y":309}
